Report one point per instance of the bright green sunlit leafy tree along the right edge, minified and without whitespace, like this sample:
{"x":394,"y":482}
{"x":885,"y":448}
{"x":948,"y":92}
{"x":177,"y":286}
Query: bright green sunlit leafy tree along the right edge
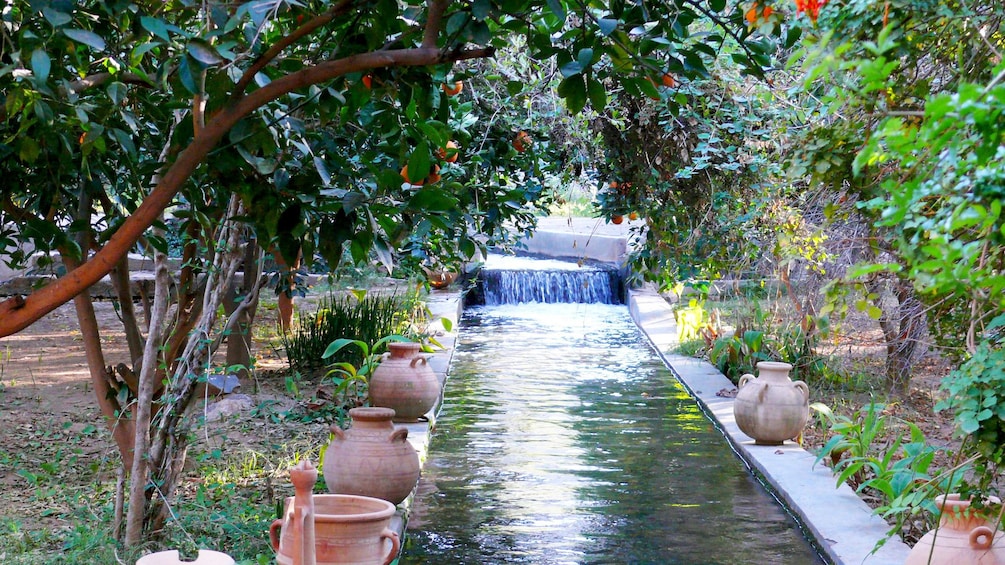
{"x":873,"y":70}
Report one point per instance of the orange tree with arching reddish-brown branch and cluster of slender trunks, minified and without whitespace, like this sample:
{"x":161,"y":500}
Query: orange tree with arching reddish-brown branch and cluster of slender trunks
{"x":282,"y":121}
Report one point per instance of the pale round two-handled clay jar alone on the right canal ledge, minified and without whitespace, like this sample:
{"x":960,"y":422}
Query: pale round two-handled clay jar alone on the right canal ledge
{"x":771,"y":409}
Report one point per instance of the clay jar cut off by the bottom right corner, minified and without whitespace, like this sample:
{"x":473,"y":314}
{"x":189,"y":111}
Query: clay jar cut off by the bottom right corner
{"x":963,"y":537}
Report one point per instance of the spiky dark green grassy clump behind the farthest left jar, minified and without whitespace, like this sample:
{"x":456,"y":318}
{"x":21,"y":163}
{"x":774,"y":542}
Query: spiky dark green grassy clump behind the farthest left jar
{"x":354,"y":317}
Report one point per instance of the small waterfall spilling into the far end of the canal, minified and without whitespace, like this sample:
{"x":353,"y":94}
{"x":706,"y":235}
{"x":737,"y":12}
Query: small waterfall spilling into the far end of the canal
{"x":519,"y":281}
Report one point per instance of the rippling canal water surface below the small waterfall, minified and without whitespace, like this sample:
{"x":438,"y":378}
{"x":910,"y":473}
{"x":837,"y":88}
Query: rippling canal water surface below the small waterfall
{"x":563,"y":439}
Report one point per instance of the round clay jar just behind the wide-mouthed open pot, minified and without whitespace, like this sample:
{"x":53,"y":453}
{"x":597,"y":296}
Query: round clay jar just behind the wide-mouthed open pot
{"x":372,"y":459}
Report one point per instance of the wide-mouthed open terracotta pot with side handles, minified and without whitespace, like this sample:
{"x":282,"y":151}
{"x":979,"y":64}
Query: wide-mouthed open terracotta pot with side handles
{"x":348,"y":529}
